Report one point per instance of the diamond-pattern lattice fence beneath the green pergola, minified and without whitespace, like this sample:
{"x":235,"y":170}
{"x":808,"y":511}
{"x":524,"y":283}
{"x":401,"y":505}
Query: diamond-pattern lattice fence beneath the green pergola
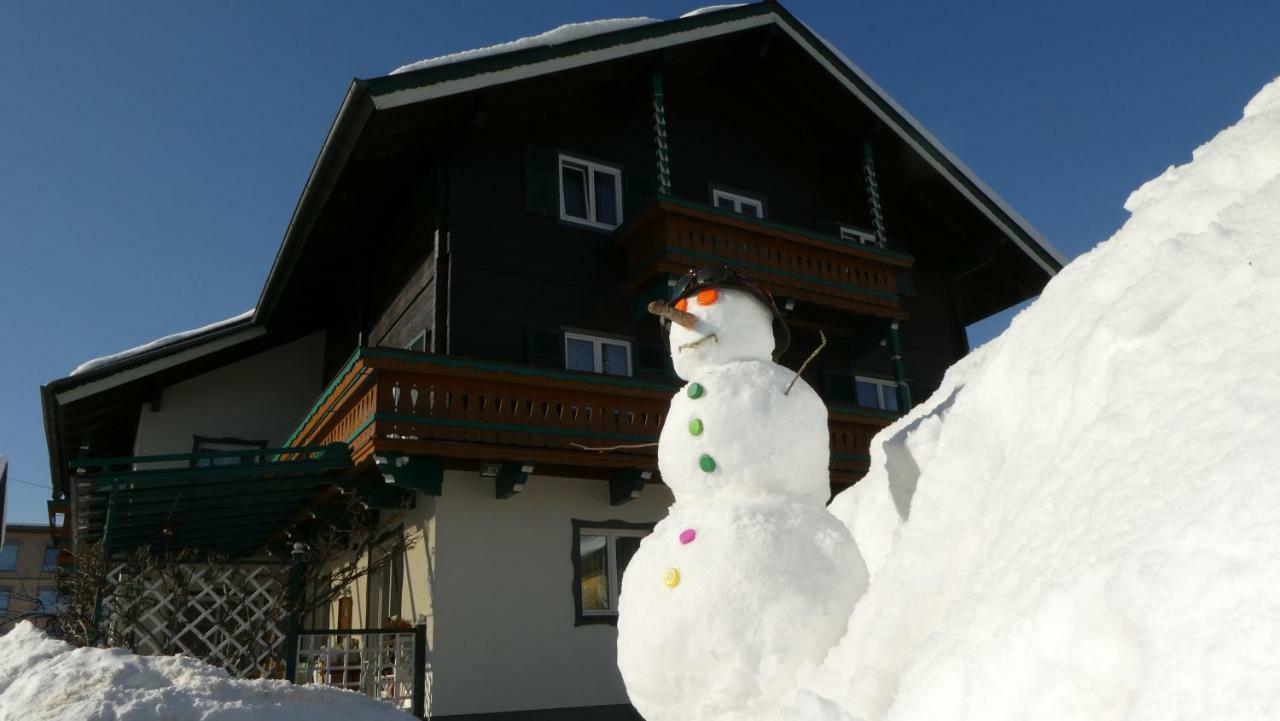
{"x":227,"y":615}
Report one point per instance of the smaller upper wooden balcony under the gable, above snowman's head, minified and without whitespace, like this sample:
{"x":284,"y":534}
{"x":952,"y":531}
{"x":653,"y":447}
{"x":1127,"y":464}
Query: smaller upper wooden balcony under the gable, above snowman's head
{"x":675,"y":236}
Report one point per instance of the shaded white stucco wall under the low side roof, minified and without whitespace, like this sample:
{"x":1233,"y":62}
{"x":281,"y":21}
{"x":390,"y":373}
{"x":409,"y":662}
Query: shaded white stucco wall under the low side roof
{"x":258,"y":399}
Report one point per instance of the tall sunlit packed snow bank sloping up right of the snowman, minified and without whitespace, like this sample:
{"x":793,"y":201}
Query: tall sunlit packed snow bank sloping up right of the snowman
{"x":1092,"y":500}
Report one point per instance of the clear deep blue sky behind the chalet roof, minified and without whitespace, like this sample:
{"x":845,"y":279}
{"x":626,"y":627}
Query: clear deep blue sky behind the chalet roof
{"x":152,"y":154}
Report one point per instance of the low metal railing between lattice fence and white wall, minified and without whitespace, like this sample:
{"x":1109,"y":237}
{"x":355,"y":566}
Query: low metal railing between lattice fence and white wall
{"x":388,"y":665}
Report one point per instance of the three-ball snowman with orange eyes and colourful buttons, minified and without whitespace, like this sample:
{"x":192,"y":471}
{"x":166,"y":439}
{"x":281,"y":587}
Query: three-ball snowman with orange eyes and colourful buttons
{"x":749,"y":581}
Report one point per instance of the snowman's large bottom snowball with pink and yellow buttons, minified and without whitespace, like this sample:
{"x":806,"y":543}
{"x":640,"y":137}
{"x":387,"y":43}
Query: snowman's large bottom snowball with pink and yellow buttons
{"x":764,"y":592}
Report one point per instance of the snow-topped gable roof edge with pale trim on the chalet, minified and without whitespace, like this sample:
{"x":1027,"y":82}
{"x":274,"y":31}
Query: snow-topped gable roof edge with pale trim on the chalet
{"x":550,"y":53}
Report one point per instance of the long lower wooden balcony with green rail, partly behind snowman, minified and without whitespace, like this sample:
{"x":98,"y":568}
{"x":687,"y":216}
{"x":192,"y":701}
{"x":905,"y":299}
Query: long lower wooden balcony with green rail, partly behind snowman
{"x":467,"y":413}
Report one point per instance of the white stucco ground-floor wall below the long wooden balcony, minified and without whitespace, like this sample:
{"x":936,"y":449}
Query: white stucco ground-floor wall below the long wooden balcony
{"x":502,"y":614}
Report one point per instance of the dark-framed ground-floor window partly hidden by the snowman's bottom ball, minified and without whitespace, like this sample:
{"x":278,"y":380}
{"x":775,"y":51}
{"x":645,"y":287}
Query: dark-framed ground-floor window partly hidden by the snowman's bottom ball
{"x":601,"y":555}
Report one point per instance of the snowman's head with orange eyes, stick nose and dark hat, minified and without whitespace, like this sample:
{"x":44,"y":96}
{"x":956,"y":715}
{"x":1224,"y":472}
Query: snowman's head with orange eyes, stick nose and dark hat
{"x":726,"y":318}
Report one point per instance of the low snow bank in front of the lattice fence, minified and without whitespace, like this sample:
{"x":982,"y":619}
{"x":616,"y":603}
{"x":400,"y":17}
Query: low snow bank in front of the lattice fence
{"x":49,"y":681}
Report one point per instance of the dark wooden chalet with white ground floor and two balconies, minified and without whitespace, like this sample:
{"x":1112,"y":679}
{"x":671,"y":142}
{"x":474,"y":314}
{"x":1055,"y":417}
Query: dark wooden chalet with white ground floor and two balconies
{"x":458,"y":314}
